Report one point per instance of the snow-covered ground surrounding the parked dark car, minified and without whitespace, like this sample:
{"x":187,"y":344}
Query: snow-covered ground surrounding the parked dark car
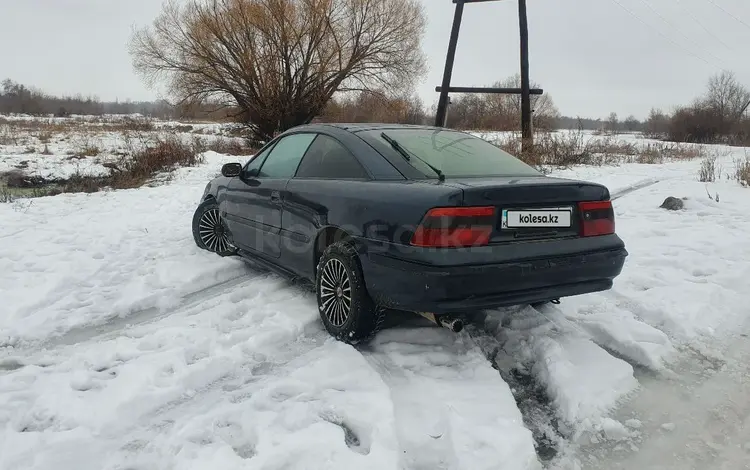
{"x":124,"y":346}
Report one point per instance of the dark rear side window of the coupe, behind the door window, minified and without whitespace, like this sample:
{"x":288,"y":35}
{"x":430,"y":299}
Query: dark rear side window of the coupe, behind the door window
{"x":327,"y":158}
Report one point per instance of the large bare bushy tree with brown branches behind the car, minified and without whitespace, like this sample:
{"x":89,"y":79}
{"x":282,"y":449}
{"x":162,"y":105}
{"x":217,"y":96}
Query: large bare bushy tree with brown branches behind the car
{"x":281,"y":61}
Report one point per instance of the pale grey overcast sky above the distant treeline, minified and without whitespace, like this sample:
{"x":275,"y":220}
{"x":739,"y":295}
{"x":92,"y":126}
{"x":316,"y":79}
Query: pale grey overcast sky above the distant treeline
{"x":591,"y":56}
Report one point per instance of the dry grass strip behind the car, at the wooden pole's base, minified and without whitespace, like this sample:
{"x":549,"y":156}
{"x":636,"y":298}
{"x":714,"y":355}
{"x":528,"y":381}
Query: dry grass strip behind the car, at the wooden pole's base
{"x":566,"y":149}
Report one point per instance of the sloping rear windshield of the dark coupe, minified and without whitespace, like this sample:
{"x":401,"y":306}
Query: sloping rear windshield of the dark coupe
{"x":456,"y":154}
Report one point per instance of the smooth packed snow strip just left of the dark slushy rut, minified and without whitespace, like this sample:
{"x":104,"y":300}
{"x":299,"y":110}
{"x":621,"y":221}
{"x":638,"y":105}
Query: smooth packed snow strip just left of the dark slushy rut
{"x":451,"y":409}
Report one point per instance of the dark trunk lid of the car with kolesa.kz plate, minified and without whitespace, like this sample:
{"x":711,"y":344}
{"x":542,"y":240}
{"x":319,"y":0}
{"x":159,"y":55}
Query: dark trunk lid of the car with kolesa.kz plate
{"x":531,"y":208}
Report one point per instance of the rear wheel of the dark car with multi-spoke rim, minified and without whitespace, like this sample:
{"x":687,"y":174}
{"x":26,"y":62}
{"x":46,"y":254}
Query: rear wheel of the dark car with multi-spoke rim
{"x":338,"y":274}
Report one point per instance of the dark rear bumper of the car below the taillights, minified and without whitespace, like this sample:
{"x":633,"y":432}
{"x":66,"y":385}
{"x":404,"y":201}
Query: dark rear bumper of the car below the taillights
{"x":407,"y":285}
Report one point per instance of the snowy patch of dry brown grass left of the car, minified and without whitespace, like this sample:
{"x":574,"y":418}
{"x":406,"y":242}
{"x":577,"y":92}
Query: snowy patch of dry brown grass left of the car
{"x":147,"y":153}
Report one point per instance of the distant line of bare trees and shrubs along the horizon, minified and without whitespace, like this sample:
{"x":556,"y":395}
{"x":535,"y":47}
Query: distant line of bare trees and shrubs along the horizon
{"x":717,"y":116}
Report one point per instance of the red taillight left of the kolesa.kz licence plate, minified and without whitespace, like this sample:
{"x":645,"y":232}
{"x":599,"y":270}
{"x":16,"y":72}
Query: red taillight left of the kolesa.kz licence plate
{"x":453,"y":227}
